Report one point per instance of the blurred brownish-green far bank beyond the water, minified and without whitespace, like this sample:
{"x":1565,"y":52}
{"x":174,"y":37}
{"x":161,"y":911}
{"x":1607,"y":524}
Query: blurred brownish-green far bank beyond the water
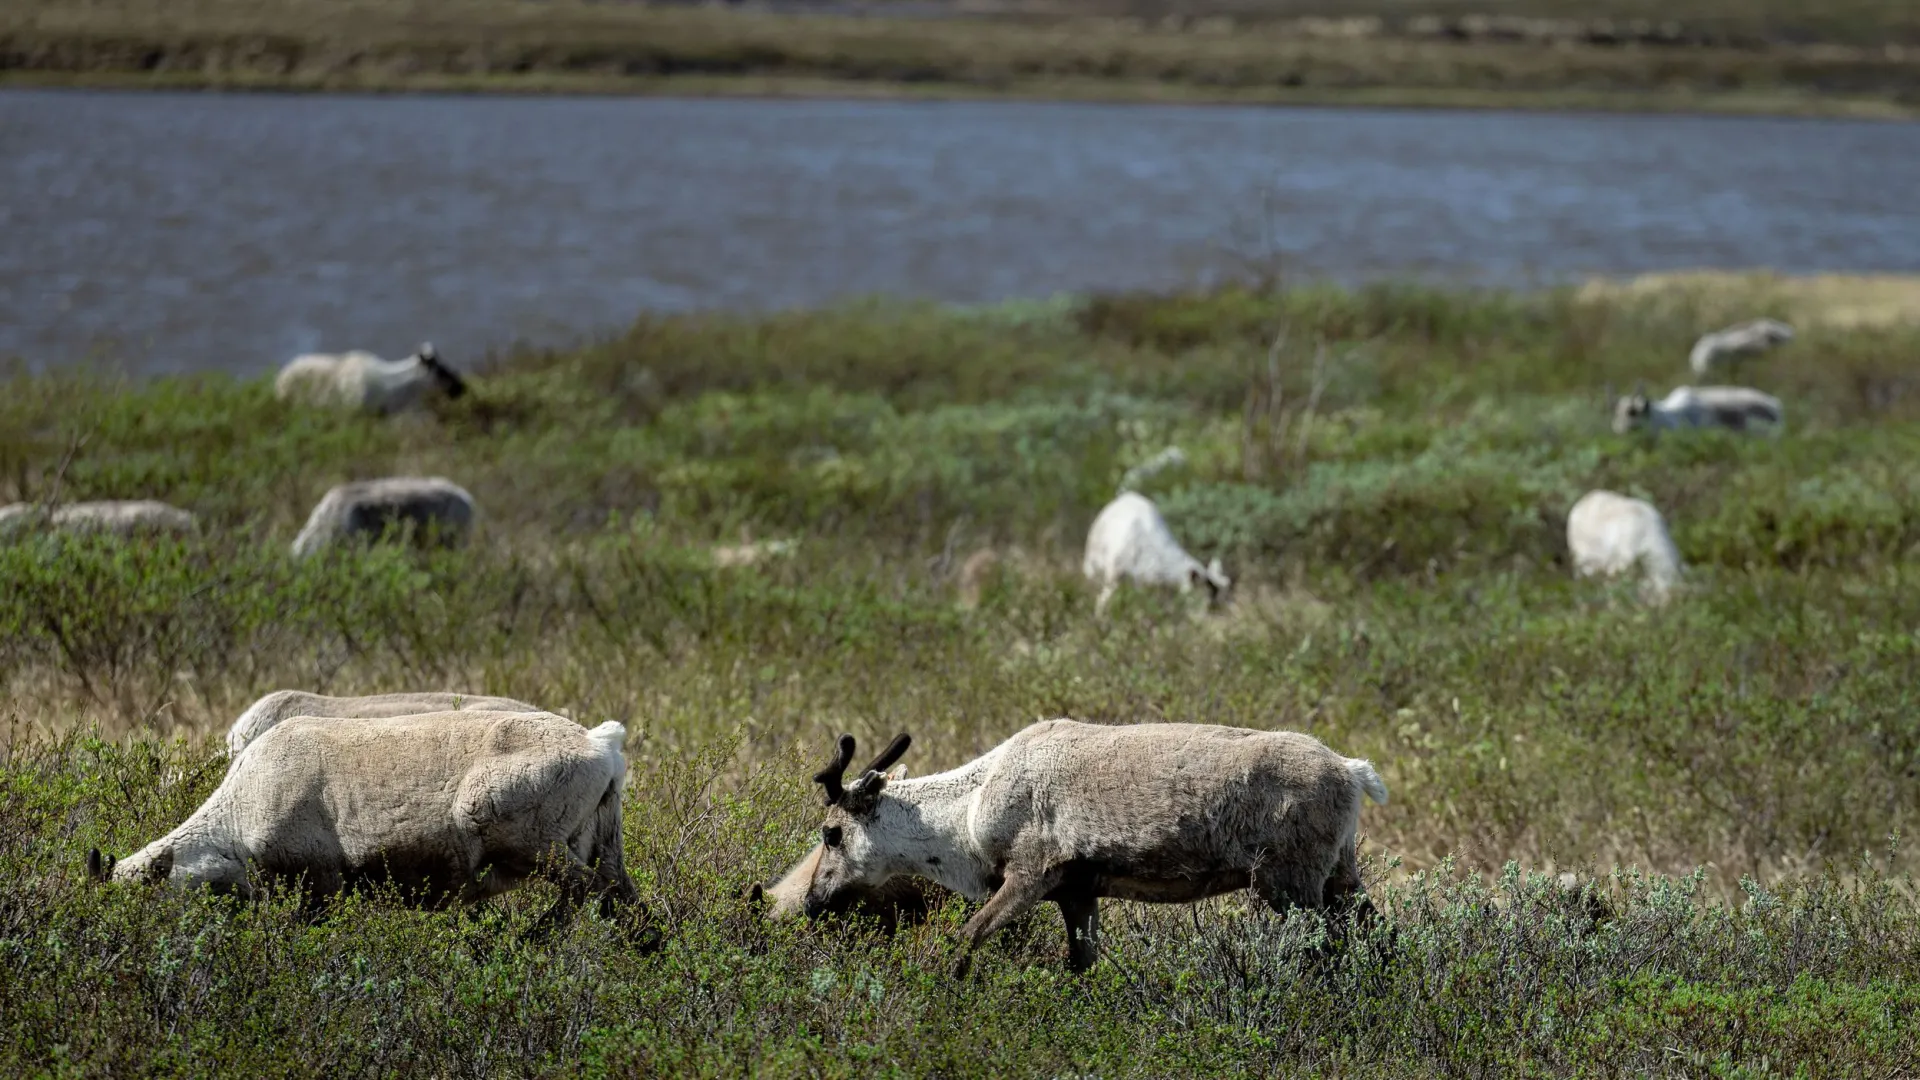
{"x":1420,"y":57}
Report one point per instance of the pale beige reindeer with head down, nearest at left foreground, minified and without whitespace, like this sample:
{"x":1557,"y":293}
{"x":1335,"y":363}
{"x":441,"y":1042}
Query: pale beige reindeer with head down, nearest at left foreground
{"x":450,"y":808}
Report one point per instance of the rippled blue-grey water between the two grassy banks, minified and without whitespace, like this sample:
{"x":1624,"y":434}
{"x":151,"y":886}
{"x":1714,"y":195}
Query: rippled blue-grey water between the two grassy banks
{"x":199,"y":232}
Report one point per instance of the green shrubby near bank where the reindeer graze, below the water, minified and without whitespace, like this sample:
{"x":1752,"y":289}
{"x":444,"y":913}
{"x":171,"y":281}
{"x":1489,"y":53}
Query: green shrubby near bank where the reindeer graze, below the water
{"x":1385,"y":476}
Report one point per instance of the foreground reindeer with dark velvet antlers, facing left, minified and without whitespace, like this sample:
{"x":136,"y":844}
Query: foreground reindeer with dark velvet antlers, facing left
{"x":1067,"y":812}
